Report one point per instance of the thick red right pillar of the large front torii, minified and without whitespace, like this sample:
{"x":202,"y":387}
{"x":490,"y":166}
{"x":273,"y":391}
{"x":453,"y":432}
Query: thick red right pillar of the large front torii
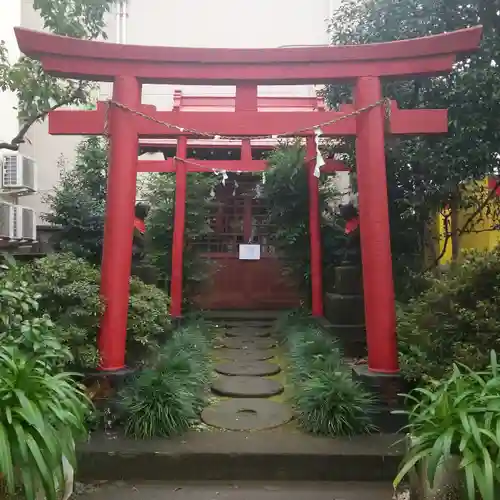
{"x":378,"y":284}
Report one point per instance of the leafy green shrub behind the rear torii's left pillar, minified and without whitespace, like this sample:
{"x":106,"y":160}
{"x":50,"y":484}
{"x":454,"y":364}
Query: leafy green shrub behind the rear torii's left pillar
{"x":160,"y":189}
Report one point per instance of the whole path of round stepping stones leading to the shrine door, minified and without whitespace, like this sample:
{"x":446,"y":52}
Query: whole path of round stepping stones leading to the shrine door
{"x":247,"y":357}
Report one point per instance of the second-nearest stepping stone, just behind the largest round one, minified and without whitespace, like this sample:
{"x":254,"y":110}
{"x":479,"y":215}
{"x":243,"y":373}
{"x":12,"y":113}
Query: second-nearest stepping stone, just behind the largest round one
{"x":246,"y":387}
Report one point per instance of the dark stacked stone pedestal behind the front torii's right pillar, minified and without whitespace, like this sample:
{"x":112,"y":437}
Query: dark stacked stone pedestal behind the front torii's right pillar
{"x":344,"y":310}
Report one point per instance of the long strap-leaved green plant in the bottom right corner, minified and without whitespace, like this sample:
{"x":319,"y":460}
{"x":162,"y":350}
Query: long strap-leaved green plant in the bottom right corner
{"x":458,"y":416}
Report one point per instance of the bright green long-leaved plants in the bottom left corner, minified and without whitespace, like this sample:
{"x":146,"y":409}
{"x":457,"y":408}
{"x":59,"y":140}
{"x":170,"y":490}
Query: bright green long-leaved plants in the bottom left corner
{"x":43,"y":409}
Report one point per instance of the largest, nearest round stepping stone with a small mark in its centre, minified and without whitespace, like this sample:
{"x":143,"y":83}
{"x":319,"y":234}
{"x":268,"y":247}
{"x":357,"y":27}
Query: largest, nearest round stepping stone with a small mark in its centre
{"x":246,"y":414}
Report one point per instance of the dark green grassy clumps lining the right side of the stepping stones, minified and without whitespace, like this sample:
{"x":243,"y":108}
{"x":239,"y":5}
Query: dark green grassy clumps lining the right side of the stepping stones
{"x":327,"y":400}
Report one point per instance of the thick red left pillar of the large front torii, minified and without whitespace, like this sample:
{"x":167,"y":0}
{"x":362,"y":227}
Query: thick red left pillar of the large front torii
{"x":119,"y":224}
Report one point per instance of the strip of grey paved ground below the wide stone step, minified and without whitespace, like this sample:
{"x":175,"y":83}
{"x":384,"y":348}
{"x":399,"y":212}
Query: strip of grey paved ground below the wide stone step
{"x":240,"y":491}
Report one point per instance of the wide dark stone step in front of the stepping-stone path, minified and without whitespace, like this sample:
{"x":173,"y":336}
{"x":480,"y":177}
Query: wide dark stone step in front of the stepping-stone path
{"x":280,"y":454}
